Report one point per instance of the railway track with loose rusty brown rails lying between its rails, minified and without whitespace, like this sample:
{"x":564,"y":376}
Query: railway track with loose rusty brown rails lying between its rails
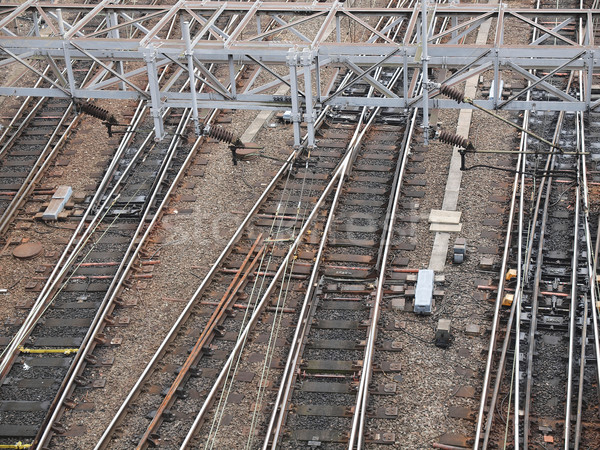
{"x":248,"y":274}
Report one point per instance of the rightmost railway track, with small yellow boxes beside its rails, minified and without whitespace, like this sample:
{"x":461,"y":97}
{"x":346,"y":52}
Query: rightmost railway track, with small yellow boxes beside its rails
{"x":550,"y":331}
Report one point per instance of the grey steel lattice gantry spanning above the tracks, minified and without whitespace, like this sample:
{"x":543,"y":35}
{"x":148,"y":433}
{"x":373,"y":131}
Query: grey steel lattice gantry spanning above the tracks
{"x":283,"y":42}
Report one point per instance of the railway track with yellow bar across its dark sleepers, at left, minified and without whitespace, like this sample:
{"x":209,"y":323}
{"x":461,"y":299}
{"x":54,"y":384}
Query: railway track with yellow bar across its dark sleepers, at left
{"x":74,"y":298}
